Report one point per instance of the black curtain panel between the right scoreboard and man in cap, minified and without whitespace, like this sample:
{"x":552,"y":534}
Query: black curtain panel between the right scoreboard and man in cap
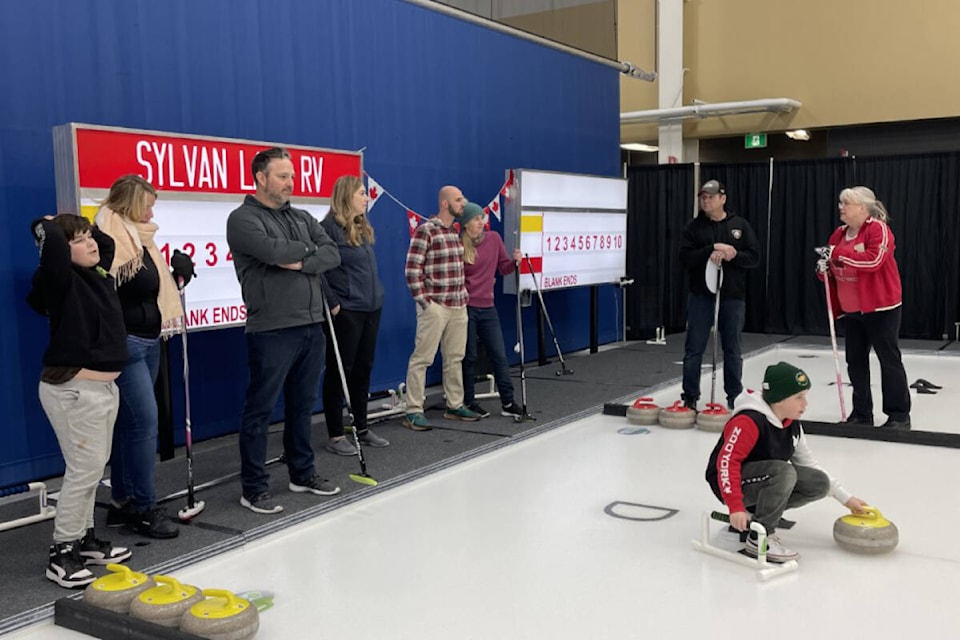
{"x":660,"y":201}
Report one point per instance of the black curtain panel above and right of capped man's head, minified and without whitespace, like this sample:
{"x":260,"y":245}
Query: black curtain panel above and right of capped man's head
{"x":748,"y":188}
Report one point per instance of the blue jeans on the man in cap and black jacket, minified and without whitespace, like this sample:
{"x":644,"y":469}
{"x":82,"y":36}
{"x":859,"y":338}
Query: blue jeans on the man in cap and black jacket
{"x":699,"y":322}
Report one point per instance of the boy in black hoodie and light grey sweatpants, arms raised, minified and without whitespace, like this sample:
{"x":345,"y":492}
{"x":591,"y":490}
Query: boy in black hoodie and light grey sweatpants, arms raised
{"x":77,"y":391}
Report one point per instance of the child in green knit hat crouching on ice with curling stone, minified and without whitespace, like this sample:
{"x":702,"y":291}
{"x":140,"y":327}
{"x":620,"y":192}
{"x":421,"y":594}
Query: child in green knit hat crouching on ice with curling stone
{"x":762,"y":464}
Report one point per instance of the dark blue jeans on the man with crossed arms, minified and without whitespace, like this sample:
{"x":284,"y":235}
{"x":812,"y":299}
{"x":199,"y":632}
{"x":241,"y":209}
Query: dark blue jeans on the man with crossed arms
{"x":288,"y":360}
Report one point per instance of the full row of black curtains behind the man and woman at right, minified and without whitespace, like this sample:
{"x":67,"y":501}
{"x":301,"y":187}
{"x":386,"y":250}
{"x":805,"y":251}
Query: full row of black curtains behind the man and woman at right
{"x":791,"y":217}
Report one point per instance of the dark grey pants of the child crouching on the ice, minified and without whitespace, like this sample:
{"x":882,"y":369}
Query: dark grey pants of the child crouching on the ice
{"x":773,"y":486}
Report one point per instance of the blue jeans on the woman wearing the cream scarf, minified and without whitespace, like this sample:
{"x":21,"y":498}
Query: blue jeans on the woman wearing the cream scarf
{"x":135,"y":433}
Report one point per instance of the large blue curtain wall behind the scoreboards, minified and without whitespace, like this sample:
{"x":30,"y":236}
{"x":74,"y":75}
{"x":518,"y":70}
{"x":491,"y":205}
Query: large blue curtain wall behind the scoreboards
{"x":432,"y":99}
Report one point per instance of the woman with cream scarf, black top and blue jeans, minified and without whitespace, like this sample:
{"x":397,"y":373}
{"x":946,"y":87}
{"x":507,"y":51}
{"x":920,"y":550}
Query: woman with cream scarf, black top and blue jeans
{"x":151,"y":308}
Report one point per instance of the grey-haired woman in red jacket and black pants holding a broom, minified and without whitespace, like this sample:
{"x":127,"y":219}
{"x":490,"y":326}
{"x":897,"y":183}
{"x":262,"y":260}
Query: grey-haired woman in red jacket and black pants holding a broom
{"x":865,"y":286}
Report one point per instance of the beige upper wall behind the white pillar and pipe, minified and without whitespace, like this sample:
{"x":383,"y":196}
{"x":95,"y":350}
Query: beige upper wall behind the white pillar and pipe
{"x":847,"y":61}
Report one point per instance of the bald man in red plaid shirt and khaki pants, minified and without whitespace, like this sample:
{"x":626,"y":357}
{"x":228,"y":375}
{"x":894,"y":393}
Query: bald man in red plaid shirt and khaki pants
{"x":434,"y":271}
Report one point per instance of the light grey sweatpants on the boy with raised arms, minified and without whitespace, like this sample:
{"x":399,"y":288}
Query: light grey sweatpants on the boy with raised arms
{"x":82,"y":413}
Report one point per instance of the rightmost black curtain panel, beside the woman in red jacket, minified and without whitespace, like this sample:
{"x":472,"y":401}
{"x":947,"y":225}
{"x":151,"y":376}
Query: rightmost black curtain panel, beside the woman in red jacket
{"x":922,"y":196}
